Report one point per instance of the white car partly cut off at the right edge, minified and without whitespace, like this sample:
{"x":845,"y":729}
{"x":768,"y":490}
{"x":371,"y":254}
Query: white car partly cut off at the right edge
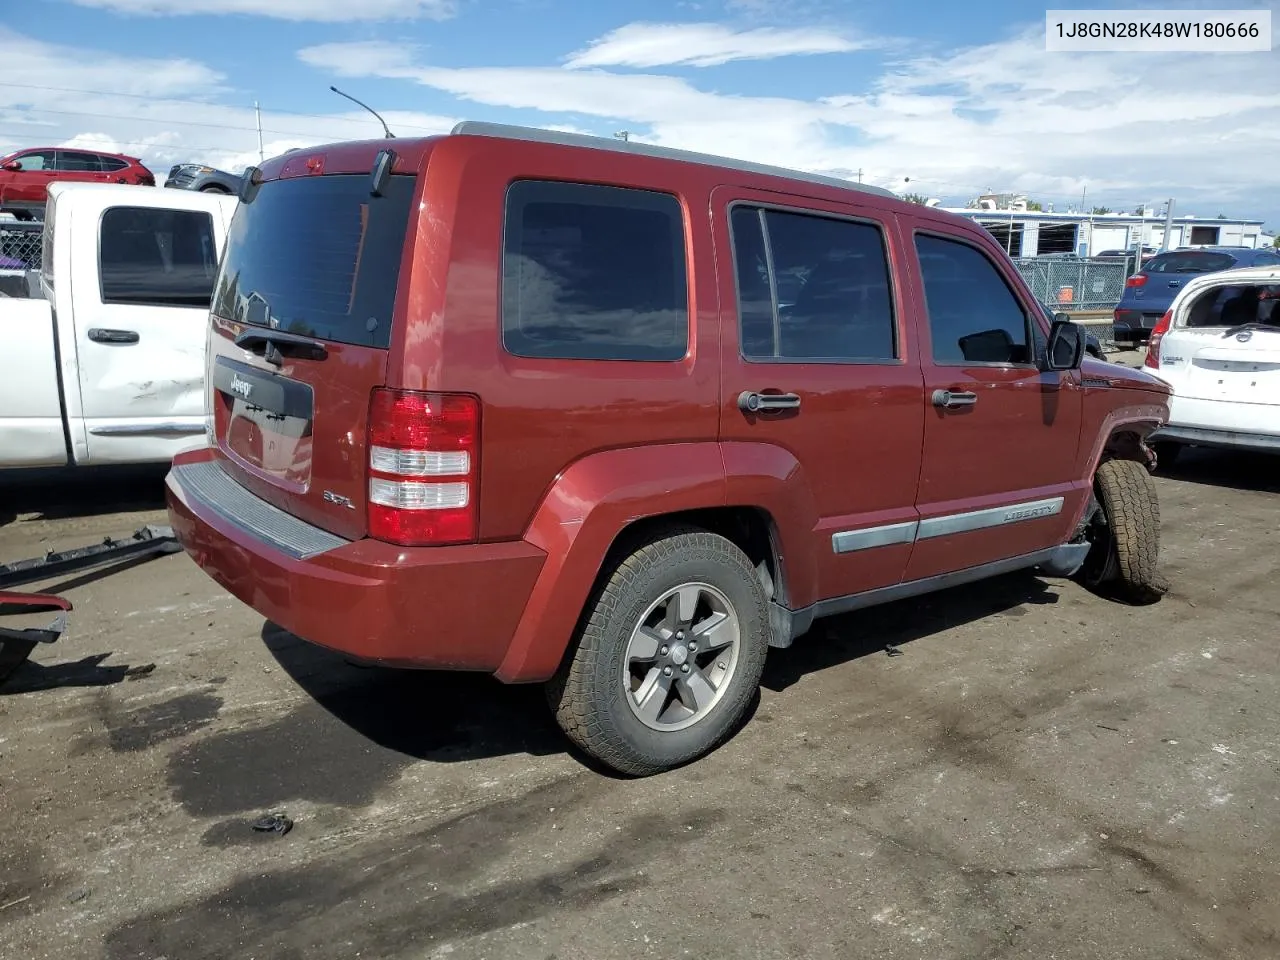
{"x":1219,"y":349}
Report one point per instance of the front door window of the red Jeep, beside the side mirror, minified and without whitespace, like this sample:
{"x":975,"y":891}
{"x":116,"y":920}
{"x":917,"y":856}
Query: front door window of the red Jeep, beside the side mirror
{"x":975,"y":317}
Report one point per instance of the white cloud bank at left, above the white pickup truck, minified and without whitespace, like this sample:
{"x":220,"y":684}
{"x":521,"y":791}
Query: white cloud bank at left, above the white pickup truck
{"x":176,"y":113}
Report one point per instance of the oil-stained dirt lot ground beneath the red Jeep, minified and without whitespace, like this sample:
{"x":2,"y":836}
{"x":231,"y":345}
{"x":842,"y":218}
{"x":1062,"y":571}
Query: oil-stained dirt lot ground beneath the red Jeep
{"x":1040,"y":775}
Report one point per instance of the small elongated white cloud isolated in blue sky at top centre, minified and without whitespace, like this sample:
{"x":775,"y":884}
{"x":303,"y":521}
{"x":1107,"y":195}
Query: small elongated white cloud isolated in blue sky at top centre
{"x":706,"y":45}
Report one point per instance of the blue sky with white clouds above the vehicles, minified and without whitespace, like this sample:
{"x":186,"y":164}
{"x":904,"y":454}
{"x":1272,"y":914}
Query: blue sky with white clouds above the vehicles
{"x":924,"y":97}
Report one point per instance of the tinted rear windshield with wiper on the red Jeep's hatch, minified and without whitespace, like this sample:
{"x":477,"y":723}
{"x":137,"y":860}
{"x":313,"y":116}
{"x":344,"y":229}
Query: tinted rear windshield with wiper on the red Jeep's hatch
{"x":318,"y":257}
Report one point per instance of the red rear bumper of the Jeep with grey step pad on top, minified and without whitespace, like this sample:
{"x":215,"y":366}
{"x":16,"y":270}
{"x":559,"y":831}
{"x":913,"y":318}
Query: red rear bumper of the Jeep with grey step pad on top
{"x":447,"y":607}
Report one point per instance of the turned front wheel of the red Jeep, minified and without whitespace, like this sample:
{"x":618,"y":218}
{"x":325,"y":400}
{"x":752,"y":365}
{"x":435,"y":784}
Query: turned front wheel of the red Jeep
{"x":1124,"y":529}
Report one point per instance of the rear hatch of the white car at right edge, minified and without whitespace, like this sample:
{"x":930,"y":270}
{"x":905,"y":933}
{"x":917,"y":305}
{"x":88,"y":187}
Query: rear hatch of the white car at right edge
{"x":1240,"y":363}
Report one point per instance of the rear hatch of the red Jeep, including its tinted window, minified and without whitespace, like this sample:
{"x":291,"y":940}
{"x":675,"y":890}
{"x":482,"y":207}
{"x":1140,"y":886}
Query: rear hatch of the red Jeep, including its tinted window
{"x":309,"y":289}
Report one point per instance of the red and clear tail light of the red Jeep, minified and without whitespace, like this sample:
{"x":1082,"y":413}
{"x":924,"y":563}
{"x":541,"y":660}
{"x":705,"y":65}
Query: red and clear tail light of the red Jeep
{"x":423,"y":470}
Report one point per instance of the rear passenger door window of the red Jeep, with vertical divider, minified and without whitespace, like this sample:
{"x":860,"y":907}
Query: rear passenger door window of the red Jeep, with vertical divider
{"x":812,"y":287}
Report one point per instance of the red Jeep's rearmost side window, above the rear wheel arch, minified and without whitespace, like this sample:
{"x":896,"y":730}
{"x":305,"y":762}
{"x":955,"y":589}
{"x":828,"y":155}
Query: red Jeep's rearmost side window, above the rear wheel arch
{"x":593,"y":273}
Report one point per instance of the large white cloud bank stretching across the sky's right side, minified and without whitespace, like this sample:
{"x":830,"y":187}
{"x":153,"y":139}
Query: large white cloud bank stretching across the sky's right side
{"x":1005,"y":116}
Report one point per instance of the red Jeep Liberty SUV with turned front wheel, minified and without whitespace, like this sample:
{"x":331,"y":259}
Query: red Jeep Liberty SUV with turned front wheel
{"x":619,"y":419}
